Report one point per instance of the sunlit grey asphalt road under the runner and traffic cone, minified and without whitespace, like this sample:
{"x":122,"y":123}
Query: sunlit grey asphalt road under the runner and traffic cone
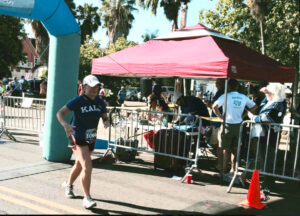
{"x":31,"y":185}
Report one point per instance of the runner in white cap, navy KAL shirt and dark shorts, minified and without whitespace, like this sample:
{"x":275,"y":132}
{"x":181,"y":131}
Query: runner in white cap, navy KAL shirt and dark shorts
{"x":88,"y":108}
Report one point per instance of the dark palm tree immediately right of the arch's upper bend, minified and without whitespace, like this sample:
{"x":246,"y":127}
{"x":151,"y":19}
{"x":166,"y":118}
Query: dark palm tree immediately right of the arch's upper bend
{"x":88,"y":18}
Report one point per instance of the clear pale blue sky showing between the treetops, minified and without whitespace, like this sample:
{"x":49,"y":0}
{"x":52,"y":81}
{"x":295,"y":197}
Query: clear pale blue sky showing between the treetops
{"x":145,"y":22}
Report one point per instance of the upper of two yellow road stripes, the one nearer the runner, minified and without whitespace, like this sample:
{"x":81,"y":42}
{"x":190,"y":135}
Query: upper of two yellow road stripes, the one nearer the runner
{"x":43,"y":201}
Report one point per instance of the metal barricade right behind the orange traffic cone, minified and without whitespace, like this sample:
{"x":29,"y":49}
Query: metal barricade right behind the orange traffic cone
{"x":271,"y":148}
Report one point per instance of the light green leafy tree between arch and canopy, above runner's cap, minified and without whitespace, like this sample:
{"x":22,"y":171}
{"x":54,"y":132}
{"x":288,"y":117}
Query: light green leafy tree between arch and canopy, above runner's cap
{"x":89,"y":50}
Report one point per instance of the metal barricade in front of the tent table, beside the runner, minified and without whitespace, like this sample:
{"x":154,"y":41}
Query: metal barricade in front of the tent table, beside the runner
{"x":145,"y":131}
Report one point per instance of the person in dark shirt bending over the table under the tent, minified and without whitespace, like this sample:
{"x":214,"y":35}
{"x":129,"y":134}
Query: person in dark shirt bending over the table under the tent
{"x":191,"y":105}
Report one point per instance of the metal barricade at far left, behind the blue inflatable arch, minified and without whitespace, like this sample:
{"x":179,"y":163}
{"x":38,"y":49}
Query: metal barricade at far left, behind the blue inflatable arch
{"x":23,"y":113}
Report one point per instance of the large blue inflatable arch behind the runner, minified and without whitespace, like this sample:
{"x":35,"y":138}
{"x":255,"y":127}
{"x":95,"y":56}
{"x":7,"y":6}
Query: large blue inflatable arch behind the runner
{"x":64,"y":33}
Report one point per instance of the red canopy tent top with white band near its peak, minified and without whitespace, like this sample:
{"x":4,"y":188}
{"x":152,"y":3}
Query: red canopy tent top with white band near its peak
{"x":193,"y":52}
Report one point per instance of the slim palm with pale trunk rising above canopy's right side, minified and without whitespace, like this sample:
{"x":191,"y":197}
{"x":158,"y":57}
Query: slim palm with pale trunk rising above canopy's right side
{"x":258,"y":10}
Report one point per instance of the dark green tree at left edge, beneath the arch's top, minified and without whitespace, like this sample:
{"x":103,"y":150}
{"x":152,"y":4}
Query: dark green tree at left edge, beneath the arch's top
{"x":11,"y":46}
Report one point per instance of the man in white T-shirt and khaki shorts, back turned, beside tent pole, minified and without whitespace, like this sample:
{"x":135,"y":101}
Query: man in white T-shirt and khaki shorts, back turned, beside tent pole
{"x":236,"y":103}
